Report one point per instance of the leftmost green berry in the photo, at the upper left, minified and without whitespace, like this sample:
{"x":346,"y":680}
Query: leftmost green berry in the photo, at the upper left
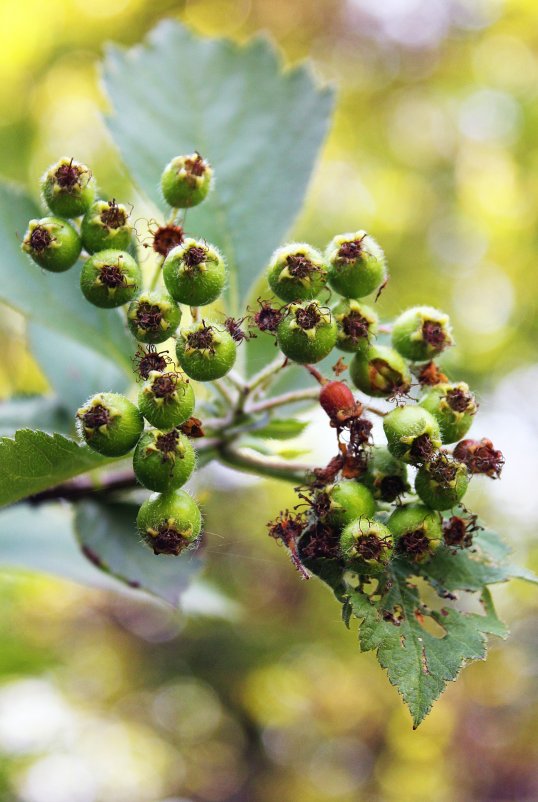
{"x":52,"y":243}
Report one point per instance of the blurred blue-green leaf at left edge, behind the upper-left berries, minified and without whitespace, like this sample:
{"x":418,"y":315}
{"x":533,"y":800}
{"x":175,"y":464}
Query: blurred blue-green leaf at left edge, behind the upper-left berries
{"x":53,"y":299}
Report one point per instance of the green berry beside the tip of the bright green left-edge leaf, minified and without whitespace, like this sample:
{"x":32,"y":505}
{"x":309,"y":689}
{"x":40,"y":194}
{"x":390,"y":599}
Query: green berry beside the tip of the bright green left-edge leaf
{"x":110,"y":424}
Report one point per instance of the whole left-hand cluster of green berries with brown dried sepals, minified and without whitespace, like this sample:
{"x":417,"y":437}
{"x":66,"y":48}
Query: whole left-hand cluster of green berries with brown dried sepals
{"x":194,"y":274}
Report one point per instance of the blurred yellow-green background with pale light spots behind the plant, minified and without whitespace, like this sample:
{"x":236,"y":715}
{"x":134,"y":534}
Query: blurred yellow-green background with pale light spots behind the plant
{"x":109,"y":699}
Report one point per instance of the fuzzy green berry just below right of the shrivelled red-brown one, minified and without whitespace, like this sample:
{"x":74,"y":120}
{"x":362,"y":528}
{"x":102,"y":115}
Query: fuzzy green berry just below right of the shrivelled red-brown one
{"x":194,"y":273}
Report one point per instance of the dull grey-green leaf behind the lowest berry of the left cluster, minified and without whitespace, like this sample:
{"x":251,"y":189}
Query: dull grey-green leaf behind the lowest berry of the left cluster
{"x":107,"y":534}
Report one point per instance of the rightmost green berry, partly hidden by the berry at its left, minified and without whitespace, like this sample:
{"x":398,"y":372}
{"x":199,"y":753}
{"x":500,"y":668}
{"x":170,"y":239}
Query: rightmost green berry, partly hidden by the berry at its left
{"x":453,"y":406}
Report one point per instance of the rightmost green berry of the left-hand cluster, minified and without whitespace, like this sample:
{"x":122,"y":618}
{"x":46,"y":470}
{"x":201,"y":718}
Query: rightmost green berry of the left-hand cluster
{"x":204,"y":353}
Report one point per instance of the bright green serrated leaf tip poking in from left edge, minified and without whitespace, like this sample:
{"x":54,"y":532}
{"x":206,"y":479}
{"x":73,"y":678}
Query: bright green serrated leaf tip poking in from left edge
{"x":34,"y":461}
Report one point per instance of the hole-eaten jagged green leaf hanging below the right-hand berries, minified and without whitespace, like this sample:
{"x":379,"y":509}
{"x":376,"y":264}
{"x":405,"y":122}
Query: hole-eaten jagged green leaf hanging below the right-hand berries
{"x":417,"y":662}
